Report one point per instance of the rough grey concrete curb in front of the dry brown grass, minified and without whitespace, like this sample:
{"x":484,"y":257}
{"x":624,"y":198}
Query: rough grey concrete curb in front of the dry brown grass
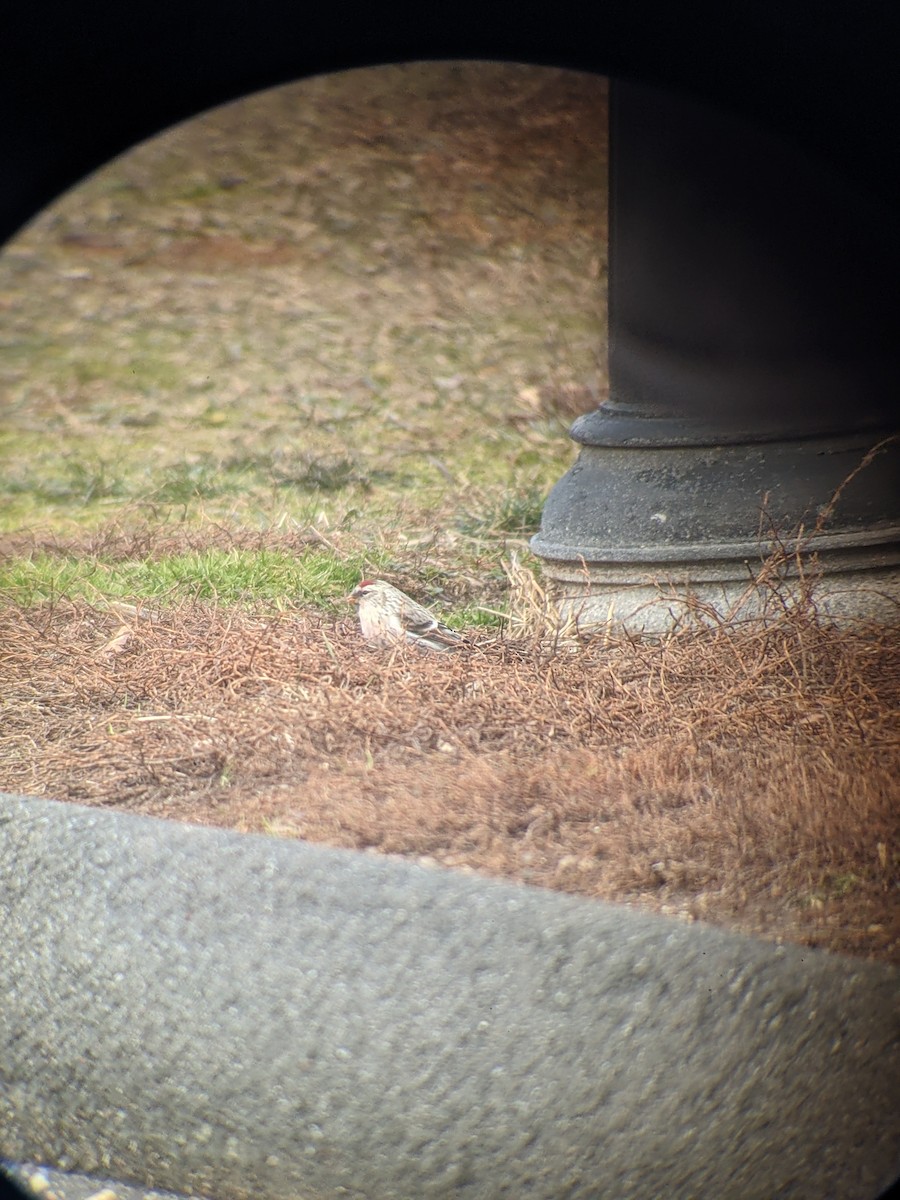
{"x":244,"y":1017}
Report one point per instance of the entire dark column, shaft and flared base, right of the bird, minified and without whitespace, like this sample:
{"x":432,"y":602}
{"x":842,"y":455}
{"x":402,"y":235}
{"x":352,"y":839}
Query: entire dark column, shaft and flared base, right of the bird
{"x":754,"y":365}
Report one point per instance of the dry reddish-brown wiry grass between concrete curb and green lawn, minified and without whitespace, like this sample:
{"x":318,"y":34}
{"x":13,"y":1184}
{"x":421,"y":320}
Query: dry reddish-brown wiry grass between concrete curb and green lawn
{"x":742,"y":776}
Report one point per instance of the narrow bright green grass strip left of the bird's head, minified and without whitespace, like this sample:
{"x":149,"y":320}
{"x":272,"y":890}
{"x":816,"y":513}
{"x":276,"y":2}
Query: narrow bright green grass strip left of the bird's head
{"x":317,"y":578}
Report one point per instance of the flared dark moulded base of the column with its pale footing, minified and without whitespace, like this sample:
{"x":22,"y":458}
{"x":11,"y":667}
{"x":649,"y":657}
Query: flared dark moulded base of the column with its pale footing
{"x":647,"y":538}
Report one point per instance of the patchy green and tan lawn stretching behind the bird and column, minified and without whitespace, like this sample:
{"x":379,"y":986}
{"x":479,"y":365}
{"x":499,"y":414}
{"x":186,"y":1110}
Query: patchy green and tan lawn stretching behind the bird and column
{"x":370,"y":382}
